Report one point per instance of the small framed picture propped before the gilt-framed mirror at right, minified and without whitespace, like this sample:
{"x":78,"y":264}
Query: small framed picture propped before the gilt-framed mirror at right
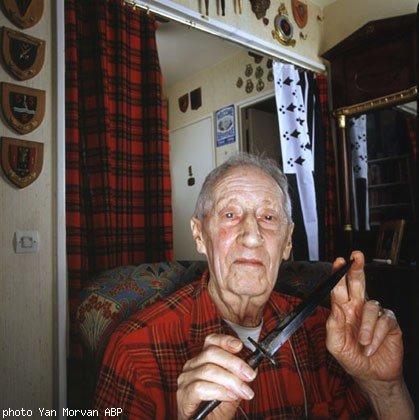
{"x":389,"y":239}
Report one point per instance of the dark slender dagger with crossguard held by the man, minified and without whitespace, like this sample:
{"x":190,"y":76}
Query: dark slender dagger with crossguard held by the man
{"x":280,"y":334}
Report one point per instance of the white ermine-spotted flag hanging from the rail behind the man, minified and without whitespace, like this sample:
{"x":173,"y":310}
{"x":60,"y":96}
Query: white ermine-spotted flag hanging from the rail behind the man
{"x":296,"y":146}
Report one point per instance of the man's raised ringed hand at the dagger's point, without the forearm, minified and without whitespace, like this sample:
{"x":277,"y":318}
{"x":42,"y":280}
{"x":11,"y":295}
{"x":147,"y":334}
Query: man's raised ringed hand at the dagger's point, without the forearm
{"x":368,"y":346}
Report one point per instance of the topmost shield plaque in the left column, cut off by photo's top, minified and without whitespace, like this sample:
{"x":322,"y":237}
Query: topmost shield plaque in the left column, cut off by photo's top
{"x":23,"y":13}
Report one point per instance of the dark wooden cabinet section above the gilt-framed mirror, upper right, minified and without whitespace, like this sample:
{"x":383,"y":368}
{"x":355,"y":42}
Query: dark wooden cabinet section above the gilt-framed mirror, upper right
{"x":377,"y":60}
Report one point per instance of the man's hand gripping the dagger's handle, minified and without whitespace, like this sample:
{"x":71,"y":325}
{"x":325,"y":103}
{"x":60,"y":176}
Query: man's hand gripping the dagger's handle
{"x":215,"y":374}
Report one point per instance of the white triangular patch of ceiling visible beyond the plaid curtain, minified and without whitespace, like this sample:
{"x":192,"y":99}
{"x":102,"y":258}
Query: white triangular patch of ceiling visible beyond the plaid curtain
{"x":184,"y":51}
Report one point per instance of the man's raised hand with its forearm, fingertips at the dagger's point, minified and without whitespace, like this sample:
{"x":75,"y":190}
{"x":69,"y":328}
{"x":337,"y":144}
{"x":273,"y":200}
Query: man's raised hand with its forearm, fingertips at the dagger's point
{"x":367,"y":342}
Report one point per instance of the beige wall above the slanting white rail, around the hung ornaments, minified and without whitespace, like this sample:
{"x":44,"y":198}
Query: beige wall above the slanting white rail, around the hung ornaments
{"x":248,"y":22}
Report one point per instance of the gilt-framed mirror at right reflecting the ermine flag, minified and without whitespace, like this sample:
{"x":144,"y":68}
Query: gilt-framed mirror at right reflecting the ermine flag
{"x":378,"y":149}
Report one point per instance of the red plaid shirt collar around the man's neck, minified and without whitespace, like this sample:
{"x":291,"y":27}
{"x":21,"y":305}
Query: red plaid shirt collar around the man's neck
{"x":206,"y":318}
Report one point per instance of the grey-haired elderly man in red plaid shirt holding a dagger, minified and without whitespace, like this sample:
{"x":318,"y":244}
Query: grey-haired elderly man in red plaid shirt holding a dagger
{"x":191,"y":347}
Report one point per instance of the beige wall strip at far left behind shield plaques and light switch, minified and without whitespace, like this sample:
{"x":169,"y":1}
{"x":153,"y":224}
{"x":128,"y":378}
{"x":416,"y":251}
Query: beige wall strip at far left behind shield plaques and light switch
{"x":26,"y":281}
